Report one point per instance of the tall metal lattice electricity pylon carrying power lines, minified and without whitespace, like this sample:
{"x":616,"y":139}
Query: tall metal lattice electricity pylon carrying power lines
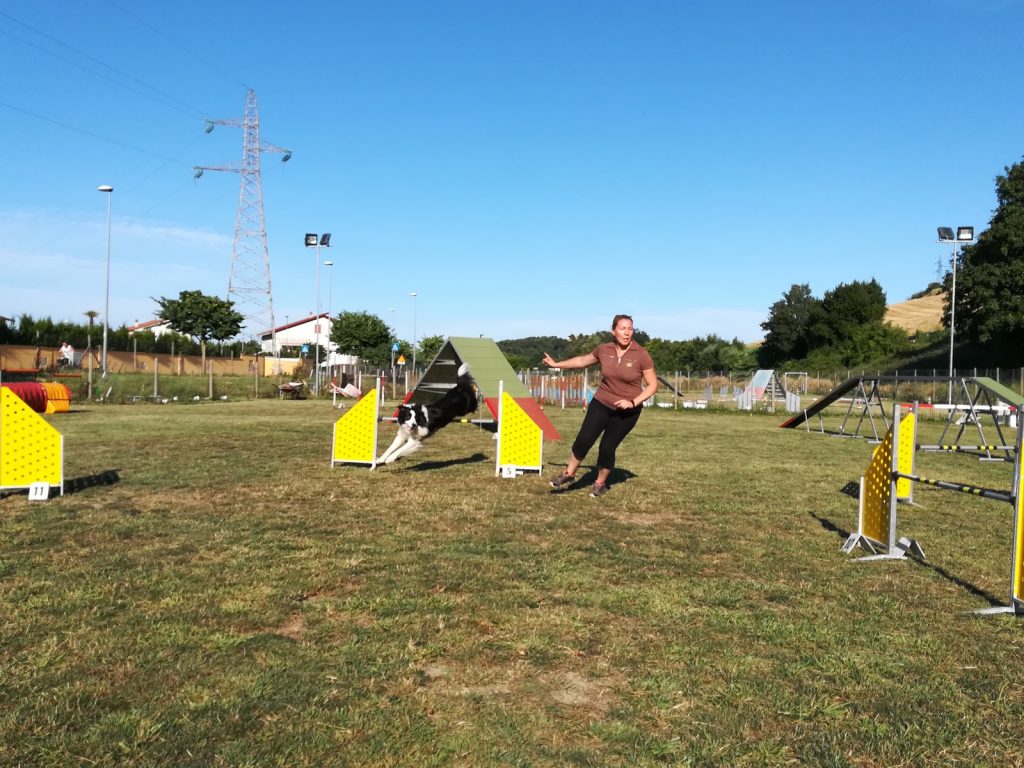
{"x":249,"y":282}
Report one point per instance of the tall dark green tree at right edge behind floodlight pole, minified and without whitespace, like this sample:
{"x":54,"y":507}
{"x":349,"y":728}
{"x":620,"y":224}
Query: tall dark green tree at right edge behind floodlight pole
{"x":991,"y":280}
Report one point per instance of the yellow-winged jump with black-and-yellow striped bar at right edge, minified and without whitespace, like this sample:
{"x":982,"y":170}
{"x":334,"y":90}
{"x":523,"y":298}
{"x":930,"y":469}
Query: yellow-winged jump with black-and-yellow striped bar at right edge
{"x":879,"y":497}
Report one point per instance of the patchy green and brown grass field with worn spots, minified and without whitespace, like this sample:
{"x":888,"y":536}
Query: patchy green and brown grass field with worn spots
{"x":211,"y":593}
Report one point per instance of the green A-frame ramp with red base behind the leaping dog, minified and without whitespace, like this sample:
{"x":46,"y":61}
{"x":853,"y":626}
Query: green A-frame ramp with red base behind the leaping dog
{"x":488,"y":367}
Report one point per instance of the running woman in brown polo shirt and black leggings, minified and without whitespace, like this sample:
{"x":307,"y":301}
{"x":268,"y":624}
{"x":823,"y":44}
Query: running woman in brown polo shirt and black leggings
{"x":628,"y":379}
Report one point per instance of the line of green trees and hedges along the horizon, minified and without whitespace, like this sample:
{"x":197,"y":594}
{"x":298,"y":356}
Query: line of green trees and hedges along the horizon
{"x":844,"y":328}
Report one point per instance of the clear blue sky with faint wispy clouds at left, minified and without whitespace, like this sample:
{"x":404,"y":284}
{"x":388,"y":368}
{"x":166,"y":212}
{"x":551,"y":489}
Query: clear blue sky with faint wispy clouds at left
{"x":528,"y":168}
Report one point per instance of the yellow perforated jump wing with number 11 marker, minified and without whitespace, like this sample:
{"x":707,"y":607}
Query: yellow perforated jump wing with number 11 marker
{"x":31,"y":450}
